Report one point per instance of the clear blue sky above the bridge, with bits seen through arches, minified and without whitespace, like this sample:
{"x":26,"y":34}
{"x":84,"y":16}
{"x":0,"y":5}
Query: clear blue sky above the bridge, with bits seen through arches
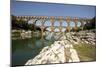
{"x":47,"y":9}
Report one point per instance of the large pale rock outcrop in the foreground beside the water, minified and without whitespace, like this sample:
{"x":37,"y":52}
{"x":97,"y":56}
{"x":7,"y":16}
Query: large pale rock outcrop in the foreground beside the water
{"x":59,"y":52}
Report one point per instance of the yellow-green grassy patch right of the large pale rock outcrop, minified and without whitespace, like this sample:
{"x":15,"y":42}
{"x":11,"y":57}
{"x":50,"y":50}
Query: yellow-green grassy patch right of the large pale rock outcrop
{"x":86,"y":52}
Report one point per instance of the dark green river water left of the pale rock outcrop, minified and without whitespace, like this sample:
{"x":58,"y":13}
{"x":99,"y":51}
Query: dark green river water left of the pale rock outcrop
{"x":25,"y":49}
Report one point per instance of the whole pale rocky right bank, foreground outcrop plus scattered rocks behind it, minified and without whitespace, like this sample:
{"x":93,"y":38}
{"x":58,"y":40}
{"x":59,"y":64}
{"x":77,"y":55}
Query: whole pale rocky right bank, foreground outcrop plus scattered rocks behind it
{"x":62,"y":50}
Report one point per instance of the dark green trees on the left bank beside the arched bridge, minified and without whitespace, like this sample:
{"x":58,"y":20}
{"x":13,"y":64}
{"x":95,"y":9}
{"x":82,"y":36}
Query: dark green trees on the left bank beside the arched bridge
{"x":22,"y":24}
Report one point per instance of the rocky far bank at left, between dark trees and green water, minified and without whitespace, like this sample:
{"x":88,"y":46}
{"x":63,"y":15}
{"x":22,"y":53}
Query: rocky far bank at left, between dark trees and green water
{"x":24,"y":34}
